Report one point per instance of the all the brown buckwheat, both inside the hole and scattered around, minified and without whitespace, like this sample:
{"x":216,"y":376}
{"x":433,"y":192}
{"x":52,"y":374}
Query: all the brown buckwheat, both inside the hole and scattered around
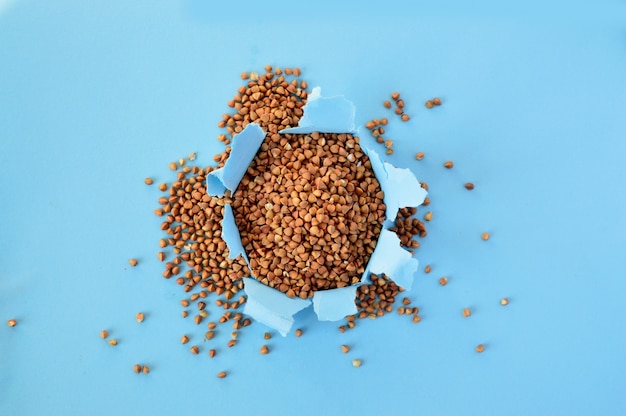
{"x":309,"y":210}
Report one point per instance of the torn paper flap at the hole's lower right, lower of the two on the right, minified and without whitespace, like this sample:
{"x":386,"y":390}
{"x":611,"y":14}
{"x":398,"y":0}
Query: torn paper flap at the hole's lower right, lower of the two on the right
{"x":393,"y":260}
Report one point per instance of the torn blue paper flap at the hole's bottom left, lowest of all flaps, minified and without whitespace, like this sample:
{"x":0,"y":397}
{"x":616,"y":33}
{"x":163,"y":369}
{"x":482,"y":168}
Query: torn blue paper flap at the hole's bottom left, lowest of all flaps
{"x":270,"y":306}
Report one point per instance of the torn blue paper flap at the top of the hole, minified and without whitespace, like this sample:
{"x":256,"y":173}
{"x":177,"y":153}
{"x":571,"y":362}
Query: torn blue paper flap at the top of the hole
{"x":325,"y":115}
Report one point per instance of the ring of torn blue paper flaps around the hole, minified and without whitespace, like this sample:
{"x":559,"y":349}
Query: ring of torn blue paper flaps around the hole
{"x":401,"y":188}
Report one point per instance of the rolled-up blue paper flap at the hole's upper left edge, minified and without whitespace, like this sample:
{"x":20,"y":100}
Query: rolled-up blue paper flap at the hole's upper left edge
{"x":244,"y":148}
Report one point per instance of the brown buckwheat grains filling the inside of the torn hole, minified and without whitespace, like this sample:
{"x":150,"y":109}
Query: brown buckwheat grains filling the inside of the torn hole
{"x":317,"y":227}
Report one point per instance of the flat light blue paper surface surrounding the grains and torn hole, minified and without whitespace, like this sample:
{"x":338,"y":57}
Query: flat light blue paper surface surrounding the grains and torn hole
{"x":97,"y":95}
